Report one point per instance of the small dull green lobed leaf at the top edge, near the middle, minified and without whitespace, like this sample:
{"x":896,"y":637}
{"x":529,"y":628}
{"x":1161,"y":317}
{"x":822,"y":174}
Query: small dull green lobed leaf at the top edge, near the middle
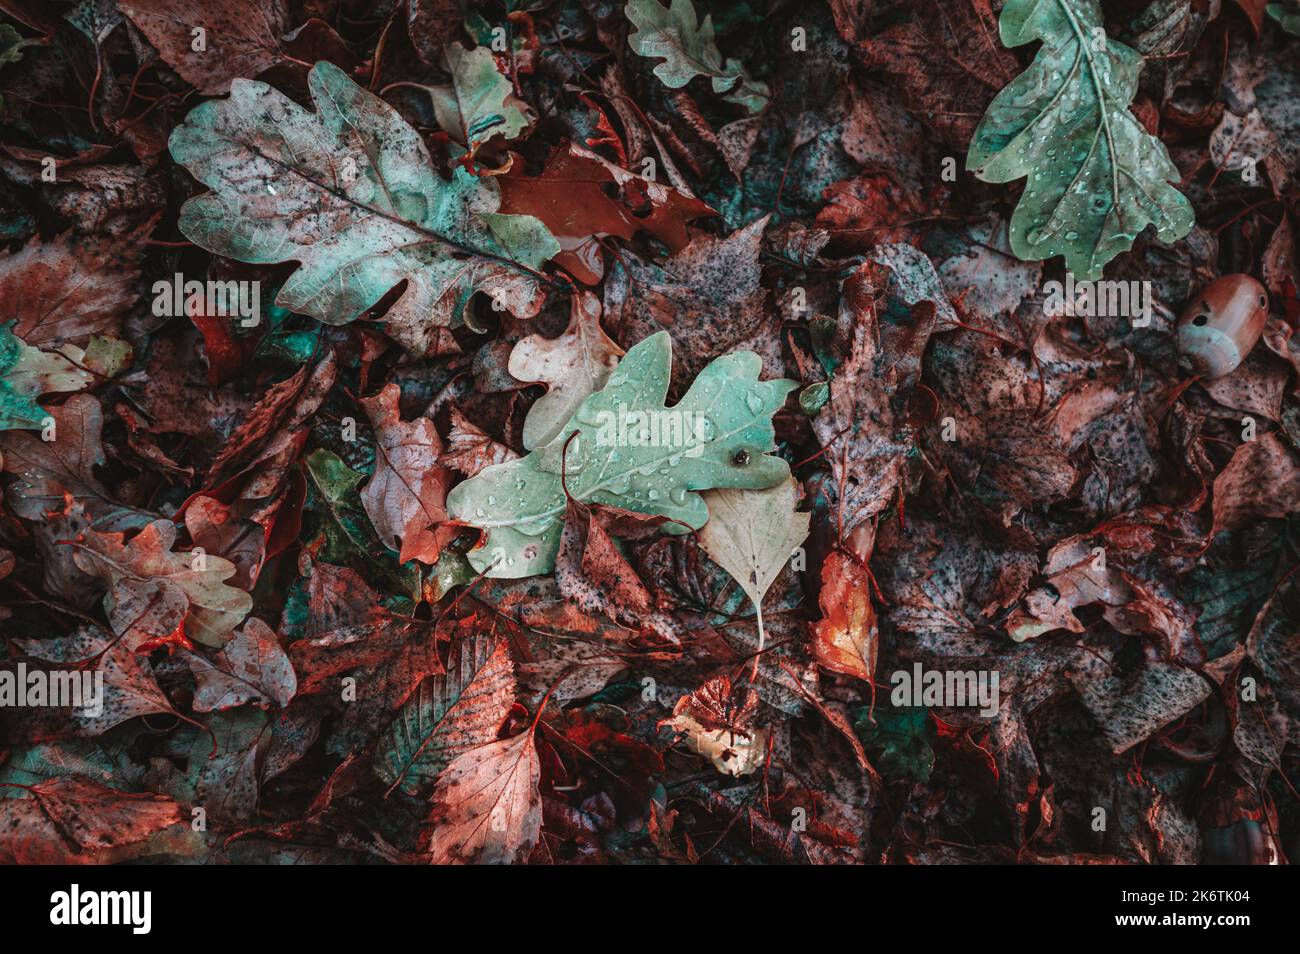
{"x":688,"y":50}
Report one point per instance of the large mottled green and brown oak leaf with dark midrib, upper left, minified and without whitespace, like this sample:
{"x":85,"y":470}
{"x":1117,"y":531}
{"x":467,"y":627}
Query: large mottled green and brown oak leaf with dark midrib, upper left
{"x":350,"y":193}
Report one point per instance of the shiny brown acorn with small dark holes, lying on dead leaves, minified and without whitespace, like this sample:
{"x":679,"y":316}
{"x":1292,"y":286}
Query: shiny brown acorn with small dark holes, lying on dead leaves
{"x":1223,"y":324}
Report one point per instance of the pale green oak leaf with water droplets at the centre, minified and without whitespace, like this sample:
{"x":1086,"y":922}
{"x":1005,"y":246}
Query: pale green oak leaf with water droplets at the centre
{"x":630,"y":452}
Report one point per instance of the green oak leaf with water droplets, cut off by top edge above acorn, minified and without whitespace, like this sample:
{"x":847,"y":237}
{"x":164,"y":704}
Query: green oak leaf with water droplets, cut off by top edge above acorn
{"x":1095,"y":177}
